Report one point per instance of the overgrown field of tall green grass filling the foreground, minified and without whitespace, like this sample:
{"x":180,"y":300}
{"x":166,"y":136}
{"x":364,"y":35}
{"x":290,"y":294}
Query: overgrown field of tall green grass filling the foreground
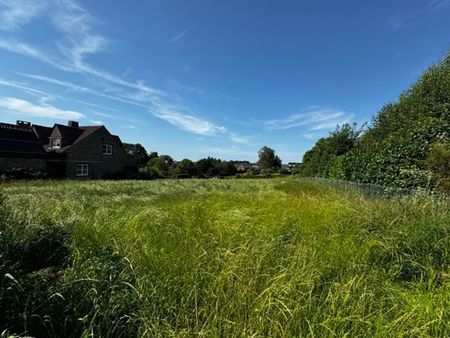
{"x":220,"y":258}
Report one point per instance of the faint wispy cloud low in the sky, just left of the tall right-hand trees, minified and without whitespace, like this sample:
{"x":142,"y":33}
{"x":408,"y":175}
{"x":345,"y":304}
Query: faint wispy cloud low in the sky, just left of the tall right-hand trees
{"x":312,"y":119}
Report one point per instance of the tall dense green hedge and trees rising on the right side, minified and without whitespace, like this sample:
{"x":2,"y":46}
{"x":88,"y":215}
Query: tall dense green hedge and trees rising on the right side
{"x":397,"y":149}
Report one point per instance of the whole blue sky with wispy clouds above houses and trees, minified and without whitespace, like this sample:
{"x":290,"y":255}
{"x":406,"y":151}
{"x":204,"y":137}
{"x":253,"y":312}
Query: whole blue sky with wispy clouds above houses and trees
{"x":214,"y":78}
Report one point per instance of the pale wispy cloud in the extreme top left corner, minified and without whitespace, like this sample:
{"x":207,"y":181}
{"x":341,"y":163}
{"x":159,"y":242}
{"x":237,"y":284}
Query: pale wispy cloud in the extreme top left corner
{"x":17,"y":13}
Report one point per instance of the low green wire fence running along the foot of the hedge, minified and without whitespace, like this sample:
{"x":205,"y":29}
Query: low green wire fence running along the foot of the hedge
{"x":375,"y":190}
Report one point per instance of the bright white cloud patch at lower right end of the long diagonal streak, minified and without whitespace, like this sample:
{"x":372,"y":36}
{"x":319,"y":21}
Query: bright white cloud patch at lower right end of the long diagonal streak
{"x":189,"y":123}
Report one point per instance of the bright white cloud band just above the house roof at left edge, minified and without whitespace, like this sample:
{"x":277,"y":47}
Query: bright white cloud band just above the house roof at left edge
{"x":26,"y":108}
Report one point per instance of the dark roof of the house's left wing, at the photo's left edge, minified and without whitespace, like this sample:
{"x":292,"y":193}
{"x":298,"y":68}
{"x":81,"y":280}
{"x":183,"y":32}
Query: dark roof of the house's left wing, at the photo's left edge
{"x":19,"y":139}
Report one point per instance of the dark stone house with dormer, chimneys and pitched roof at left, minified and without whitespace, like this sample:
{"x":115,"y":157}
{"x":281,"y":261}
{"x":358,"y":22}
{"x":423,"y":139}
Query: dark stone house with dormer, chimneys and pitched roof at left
{"x":71,"y":151}
